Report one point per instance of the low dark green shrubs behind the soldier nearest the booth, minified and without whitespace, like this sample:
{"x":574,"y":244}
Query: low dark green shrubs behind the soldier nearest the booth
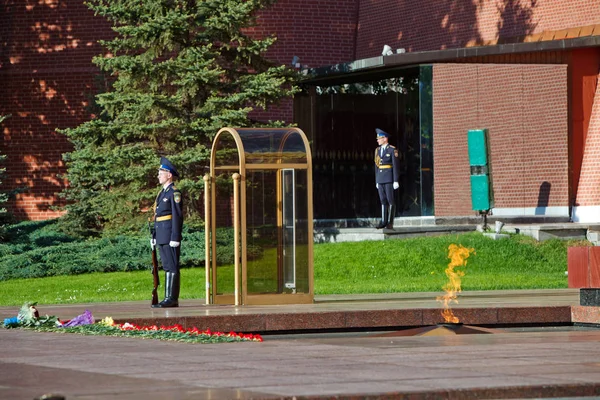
{"x":38,"y":249}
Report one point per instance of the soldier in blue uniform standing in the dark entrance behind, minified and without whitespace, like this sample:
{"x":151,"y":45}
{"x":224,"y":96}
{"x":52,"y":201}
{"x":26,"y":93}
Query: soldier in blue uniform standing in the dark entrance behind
{"x":386,"y":178}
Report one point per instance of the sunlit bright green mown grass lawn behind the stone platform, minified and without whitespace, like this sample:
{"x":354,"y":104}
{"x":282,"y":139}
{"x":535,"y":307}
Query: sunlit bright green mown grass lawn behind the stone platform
{"x":340,"y":268}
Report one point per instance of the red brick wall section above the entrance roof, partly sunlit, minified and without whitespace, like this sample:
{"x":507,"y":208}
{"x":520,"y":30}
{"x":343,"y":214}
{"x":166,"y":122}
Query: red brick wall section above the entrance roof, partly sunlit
{"x":440,"y":24}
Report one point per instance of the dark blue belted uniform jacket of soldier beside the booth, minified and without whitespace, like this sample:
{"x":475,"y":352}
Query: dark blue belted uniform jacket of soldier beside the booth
{"x":168,"y":217}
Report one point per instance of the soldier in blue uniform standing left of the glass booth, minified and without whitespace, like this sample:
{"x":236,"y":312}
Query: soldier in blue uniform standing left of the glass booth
{"x":168,"y":221}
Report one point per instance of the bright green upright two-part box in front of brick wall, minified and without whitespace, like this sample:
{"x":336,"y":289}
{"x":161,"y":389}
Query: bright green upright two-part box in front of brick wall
{"x":481,"y":188}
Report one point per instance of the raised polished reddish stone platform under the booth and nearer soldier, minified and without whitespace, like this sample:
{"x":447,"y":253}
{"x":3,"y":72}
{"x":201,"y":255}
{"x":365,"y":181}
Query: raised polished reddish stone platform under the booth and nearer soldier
{"x":339,"y":312}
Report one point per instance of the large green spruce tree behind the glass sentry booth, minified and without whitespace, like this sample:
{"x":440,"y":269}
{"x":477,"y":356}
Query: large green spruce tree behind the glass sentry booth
{"x":179,"y":71}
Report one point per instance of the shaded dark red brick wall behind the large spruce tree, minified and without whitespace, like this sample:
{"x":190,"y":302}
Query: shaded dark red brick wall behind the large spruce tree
{"x":46,"y":76}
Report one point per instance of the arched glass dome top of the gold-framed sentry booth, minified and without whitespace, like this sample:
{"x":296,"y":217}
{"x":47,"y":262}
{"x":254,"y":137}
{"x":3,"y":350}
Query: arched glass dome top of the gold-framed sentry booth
{"x":260,"y":146}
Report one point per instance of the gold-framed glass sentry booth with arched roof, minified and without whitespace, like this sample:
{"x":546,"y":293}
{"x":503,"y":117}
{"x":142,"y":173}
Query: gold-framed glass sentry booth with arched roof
{"x":259,"y":217}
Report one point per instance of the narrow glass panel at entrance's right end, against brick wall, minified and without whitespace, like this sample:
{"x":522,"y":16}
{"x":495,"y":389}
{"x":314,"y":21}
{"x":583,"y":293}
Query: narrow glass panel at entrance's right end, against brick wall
{"x":426,"y":123}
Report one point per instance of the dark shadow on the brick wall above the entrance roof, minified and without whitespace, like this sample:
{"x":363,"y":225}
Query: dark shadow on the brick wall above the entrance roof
{"x":439,"y":24}
